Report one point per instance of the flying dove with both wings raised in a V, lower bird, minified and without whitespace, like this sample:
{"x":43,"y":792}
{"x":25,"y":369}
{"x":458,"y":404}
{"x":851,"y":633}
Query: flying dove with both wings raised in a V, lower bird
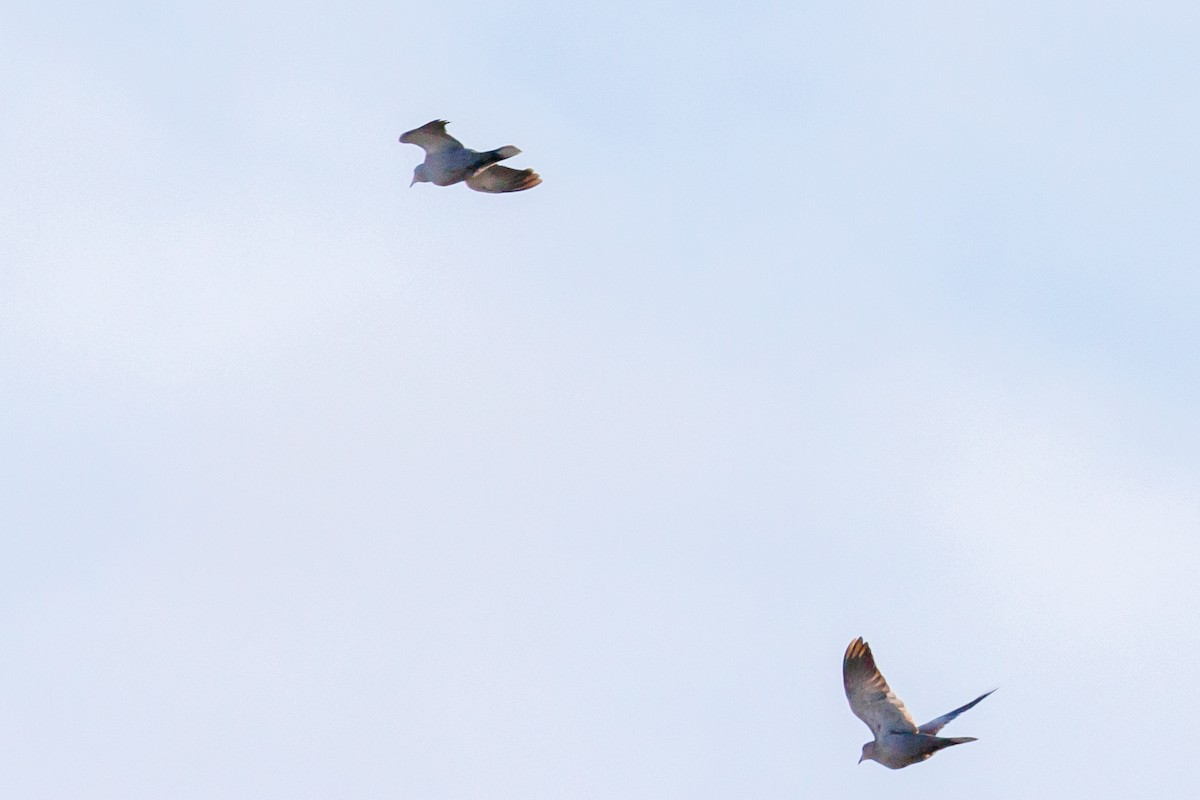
{"x":898,"y":742}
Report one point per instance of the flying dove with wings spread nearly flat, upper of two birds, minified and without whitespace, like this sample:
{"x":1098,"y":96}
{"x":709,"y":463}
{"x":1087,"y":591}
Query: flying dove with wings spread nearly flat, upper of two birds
{"x":448,"y":163}
